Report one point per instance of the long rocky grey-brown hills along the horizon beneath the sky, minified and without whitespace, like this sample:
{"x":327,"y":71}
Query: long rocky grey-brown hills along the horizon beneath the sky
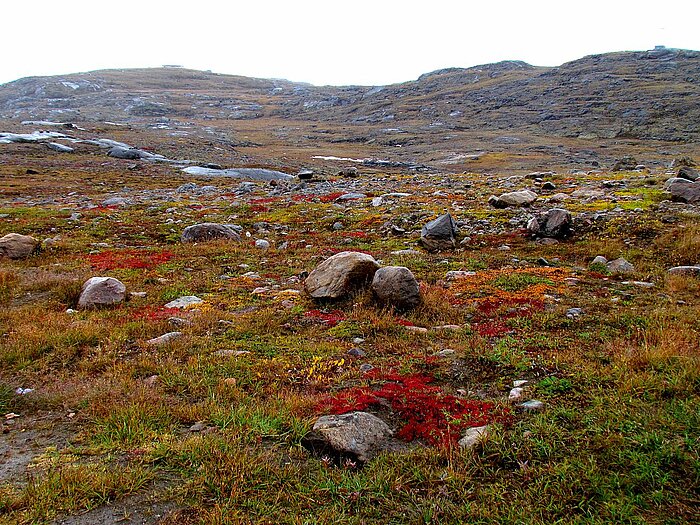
{"x":647,"y":95}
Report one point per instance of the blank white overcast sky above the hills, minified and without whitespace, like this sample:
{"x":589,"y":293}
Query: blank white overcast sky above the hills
{"x":369,"y":42}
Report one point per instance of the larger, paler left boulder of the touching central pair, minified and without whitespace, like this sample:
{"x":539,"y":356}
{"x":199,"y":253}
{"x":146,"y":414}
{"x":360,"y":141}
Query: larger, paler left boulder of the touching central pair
{"x":340,"y":275}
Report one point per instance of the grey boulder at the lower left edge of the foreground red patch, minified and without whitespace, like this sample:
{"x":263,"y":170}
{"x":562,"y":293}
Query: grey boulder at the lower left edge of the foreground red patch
{"x":357,"y":434}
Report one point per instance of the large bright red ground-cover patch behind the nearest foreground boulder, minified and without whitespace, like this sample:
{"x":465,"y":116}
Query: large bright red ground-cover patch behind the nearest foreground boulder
{"x":429,"y":414}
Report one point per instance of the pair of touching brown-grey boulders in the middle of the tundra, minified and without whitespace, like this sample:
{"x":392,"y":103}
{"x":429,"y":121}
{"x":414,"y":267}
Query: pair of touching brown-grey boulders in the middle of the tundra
{"x":345,"y":273}
